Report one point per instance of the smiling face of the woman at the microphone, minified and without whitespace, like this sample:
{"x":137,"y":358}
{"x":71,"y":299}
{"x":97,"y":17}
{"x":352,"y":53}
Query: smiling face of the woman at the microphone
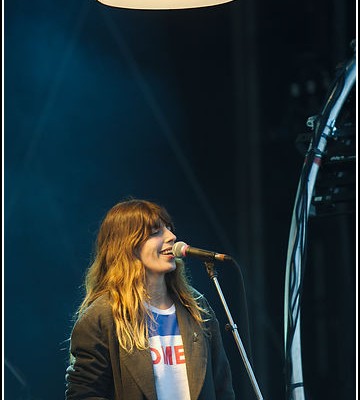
{"x":156,"y":252}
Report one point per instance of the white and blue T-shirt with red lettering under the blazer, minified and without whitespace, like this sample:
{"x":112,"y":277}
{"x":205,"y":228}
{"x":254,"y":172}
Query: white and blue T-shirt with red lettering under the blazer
{"x":167,"y":352}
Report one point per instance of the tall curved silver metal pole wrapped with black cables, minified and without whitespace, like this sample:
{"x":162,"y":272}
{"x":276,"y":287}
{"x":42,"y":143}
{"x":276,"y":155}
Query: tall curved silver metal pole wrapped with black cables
{"x":325,"y":127}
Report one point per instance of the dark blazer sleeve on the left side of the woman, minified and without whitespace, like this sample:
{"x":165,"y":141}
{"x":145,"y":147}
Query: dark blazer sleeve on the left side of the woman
{"x":89,"y":375}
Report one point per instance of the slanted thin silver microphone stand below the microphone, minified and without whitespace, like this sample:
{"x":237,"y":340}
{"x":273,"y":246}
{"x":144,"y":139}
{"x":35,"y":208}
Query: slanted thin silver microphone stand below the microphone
{"x":210,"y":268}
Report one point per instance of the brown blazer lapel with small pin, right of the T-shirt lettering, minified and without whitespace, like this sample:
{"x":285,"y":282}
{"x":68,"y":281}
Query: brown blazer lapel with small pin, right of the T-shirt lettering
{"x":195,"y":350}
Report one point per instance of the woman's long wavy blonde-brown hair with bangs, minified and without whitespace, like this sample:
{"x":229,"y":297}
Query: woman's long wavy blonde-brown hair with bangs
{"x":117,"y":270}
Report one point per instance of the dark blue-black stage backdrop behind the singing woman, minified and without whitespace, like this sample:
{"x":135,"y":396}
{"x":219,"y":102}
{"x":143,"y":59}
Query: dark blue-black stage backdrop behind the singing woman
{"x":198,"y":110}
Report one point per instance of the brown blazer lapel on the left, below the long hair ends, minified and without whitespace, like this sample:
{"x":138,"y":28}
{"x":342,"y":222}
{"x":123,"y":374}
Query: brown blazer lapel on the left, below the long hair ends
{"x":139,"y":365}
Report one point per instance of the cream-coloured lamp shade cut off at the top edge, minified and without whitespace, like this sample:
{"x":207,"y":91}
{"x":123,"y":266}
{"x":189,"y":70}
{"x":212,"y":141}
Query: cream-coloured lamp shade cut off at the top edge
{"x":162,"y":4}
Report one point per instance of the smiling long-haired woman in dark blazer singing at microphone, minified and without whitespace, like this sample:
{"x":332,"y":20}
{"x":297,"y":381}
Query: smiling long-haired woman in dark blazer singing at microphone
{"x":141,"y":331}
